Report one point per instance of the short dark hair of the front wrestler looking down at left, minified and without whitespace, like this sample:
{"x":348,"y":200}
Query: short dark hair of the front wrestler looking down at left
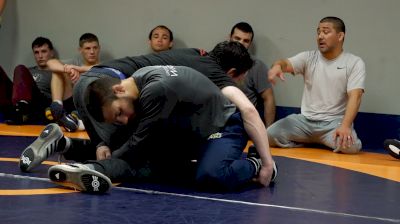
{"x":98,"y":94}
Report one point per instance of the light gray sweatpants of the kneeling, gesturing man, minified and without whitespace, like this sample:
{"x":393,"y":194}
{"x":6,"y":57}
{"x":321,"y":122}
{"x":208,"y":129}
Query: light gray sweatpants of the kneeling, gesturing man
{"x":296,"y":130}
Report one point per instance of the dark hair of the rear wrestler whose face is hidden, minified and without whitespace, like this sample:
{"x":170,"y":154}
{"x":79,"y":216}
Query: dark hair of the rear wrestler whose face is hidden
{"x":232,"y":54}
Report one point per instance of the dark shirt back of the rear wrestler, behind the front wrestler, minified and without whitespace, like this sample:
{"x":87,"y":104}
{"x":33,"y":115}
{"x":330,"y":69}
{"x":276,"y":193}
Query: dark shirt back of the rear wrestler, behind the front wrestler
{"x":188,"y":57}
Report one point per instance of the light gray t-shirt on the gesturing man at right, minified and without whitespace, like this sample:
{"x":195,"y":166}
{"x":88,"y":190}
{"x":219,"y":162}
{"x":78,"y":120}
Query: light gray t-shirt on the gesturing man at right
{"x":327,"y":82}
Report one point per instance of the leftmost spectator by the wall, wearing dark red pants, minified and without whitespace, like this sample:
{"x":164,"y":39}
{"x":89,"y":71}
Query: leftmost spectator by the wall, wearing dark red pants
{"x":30,"y":87}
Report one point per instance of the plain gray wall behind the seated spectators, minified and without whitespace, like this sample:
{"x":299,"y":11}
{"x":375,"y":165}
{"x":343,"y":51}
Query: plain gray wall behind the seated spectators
{"x":283,"y":28}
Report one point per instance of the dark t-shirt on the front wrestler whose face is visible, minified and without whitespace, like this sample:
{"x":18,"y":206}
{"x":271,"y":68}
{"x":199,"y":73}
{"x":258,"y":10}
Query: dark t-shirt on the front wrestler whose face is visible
{"x":176,"y":98}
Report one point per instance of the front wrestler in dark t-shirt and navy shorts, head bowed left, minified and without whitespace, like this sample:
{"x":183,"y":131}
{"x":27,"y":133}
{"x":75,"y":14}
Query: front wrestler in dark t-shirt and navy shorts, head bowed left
{"x":169,"y":125}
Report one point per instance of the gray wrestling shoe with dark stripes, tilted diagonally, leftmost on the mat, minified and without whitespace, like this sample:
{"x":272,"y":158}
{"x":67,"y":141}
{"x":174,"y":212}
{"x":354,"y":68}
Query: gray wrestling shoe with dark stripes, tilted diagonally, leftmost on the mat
{"x":43,"y":147}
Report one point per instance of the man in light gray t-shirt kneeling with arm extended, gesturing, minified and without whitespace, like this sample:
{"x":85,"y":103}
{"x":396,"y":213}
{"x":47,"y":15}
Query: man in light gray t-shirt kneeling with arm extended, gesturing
{"x":334,"y":82}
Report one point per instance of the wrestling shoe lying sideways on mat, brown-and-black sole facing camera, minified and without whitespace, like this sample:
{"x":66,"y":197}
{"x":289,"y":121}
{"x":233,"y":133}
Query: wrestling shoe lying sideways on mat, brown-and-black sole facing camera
{"x":79,"y":177}
